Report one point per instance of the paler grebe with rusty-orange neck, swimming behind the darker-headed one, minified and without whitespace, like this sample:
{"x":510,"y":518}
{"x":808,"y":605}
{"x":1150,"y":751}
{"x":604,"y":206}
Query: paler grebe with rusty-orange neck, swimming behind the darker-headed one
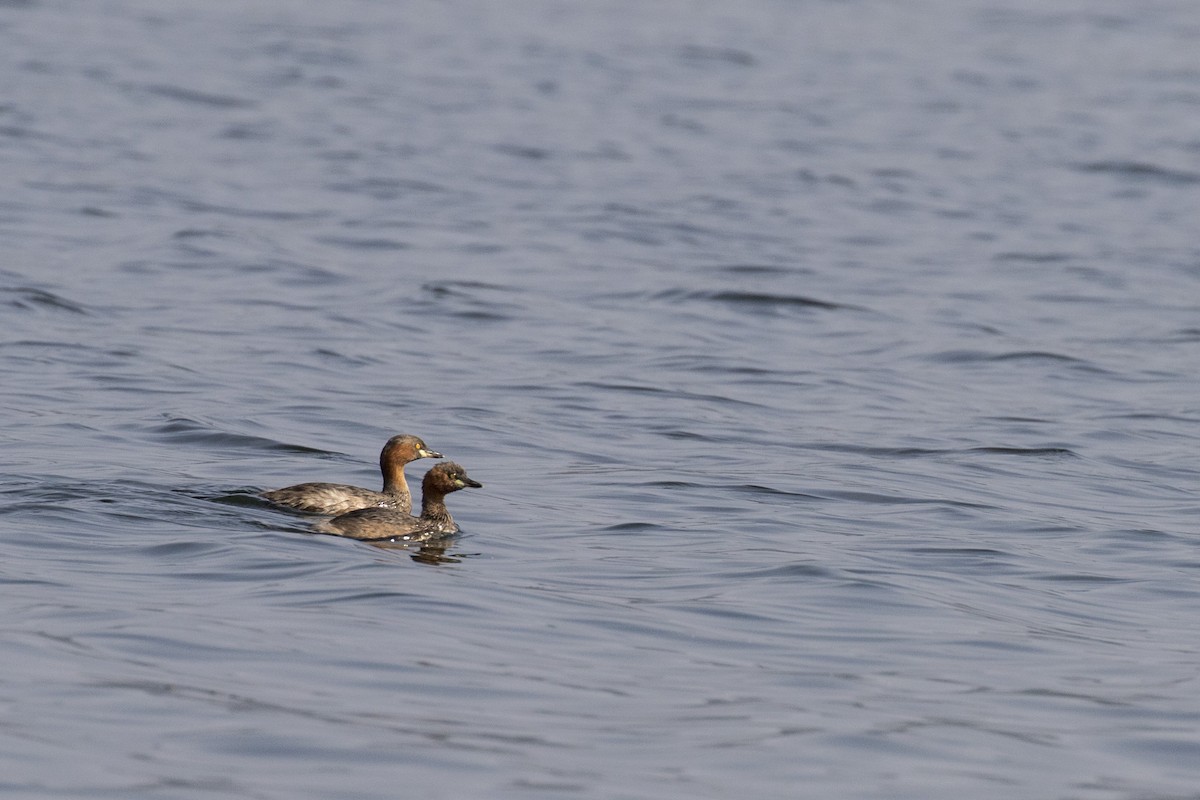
{"x":341,"y":498}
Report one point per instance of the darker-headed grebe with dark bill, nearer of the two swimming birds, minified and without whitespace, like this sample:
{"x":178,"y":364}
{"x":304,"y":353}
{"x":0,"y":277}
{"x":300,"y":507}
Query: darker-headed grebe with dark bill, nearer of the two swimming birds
{"x":394,"y":525}
